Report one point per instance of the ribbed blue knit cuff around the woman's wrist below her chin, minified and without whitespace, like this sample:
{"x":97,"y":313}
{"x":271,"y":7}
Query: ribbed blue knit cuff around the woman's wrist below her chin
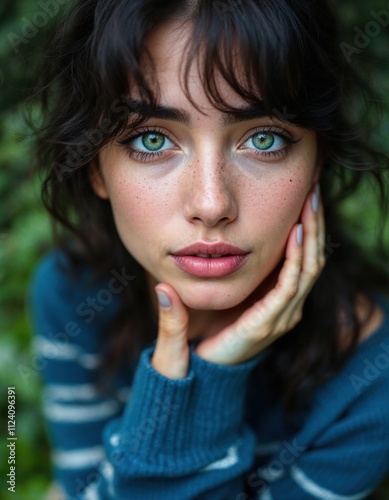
{"x":174,"y":426}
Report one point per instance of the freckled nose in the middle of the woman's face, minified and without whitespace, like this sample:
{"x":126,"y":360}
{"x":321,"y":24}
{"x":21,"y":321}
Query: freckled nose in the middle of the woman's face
{"x":211,"y":197}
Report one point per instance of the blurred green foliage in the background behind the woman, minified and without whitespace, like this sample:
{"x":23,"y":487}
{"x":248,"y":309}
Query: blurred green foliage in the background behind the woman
{"x":25,"y":229}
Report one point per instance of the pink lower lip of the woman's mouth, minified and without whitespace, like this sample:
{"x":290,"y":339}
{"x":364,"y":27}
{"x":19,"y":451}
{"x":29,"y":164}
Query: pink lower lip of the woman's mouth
{"x":210,"y":268}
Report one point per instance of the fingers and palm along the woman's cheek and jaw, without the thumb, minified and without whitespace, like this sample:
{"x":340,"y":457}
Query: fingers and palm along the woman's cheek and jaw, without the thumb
{"x":281,"y":308}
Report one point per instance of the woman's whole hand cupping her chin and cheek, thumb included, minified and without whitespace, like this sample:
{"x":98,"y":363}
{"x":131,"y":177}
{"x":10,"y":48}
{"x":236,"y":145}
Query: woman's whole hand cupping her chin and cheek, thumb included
{"x":261,"y":324}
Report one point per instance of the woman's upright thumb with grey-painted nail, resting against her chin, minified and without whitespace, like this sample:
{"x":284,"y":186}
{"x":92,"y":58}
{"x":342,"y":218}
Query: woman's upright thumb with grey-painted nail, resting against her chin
{"x":171,"y":354}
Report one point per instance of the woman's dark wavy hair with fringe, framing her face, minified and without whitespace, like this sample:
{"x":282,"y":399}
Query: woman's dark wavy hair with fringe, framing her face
{"x":293,"y":66}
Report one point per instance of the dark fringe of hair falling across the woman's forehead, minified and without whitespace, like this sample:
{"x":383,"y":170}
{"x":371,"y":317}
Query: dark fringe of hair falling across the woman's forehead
{"x":282,"y":54}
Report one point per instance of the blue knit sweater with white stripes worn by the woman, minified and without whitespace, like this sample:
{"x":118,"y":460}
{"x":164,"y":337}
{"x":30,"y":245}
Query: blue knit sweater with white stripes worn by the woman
{"x":216,"y":434}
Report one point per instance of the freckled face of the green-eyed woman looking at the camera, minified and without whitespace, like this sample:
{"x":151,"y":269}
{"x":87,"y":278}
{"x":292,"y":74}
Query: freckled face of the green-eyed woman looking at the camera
{"x":207,"y":181}
